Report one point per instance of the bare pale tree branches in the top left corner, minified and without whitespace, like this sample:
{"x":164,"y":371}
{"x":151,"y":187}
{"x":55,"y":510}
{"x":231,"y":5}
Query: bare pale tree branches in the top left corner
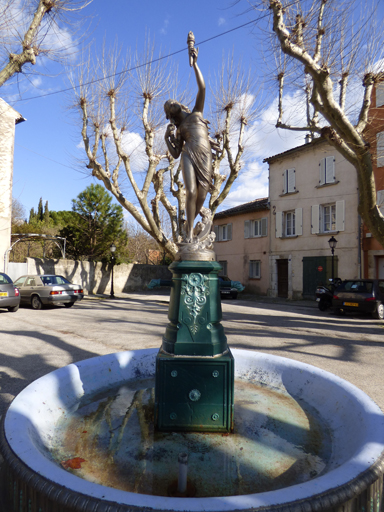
{"x":35,"y":28}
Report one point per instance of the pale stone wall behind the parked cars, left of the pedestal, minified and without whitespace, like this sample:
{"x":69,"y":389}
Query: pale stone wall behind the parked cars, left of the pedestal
{"x":95,"y":277}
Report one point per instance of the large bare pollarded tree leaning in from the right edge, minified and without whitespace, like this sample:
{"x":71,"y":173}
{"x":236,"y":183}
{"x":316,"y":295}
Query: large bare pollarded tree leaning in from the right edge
{"x":332,"y":51}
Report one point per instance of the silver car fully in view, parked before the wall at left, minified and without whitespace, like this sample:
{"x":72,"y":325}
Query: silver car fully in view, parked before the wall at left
{"x":48,"y":289}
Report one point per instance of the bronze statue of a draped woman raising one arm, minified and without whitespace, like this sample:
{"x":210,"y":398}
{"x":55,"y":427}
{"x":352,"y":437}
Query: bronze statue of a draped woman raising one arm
{"x":192,"y":142}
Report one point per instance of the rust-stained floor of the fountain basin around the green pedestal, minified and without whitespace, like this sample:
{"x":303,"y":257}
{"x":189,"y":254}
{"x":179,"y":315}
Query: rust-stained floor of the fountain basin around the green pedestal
{"x":278,"y":442}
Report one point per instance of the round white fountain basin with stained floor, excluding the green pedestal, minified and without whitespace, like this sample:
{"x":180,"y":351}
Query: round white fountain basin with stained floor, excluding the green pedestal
{"x":308,"y":440}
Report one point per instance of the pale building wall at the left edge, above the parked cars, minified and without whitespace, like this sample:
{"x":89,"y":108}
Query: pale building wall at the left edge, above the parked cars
{"x":8,"y":119}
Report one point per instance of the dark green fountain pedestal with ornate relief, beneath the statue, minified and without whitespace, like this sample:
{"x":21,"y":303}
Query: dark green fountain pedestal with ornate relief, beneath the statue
{"x":194,"y":367}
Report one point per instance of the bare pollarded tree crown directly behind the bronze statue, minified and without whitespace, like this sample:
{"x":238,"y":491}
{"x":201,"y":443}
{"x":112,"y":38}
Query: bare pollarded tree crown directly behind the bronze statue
{"x":121,"y":102}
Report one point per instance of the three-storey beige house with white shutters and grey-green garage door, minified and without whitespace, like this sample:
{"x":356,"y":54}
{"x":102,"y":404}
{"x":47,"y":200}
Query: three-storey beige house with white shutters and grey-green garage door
{"x":313,"y":196}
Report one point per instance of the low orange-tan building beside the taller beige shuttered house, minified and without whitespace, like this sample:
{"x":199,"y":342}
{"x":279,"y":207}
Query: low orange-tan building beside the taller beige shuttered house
{"x":242,"y":244}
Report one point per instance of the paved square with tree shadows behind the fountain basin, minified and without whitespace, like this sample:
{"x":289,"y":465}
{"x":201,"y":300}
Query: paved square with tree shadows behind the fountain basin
{"x":33,"y":343}
